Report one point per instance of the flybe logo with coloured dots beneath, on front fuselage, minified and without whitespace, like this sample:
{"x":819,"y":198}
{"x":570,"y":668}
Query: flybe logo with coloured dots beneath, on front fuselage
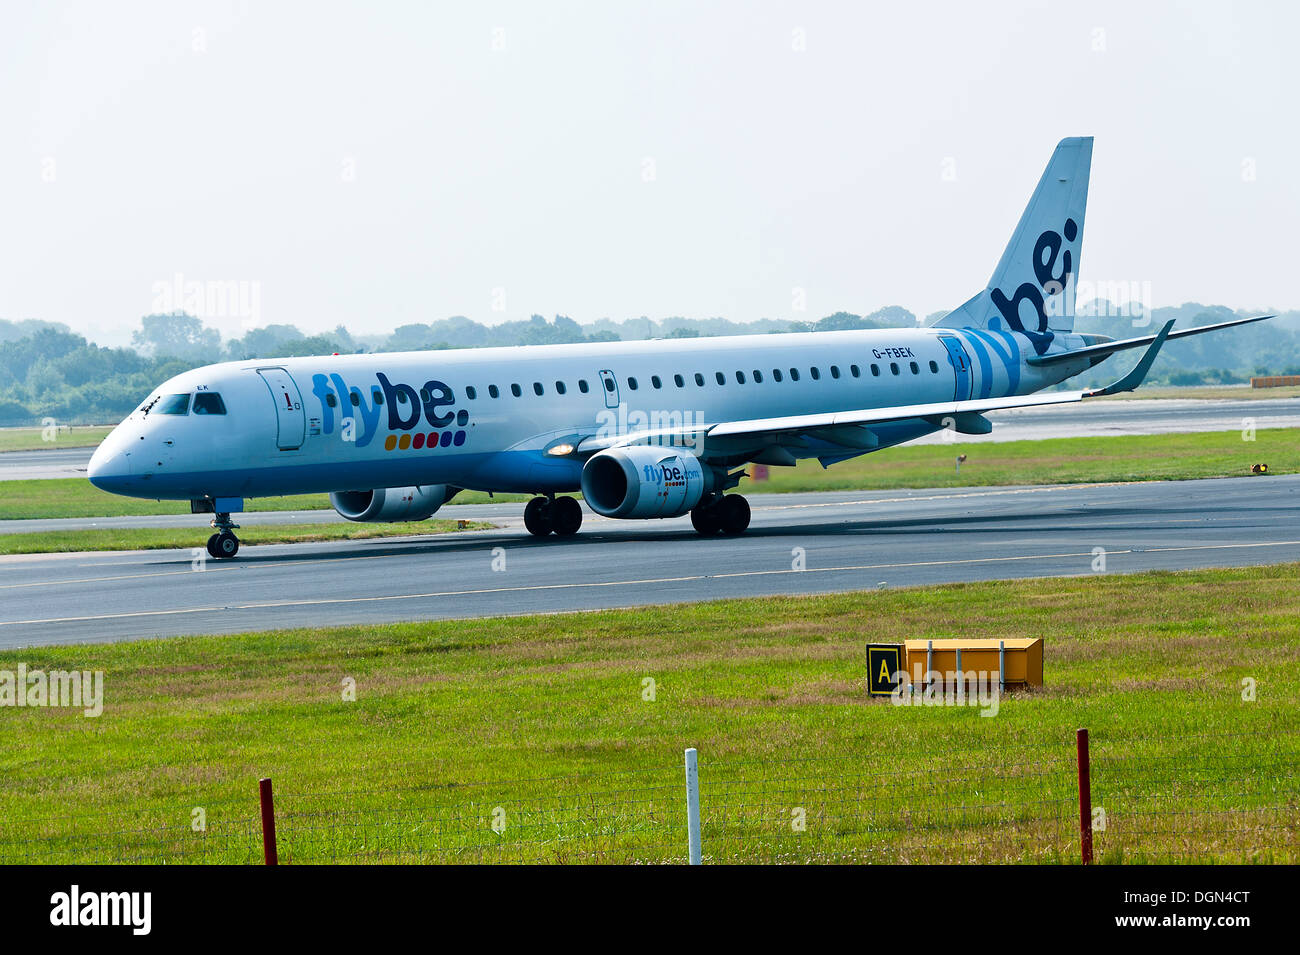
{"x":404,"y":411}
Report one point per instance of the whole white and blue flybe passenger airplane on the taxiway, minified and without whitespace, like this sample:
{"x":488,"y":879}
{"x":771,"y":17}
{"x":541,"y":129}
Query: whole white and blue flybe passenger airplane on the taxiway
{"x":652,"y":429}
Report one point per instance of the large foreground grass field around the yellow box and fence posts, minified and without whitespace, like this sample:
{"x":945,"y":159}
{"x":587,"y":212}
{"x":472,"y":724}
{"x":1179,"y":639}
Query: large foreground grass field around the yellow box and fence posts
{"x":549,"y":726}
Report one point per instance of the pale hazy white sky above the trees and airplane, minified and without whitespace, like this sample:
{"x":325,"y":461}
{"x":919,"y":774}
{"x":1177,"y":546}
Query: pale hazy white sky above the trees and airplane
{"x":385,"y":163}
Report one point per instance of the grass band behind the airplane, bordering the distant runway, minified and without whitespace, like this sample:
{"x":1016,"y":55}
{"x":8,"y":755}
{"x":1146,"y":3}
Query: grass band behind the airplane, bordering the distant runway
{"x":1058,"y":461}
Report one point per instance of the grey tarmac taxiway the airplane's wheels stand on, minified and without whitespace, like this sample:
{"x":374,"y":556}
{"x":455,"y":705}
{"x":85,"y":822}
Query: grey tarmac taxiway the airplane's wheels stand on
{"x":847,"y":541}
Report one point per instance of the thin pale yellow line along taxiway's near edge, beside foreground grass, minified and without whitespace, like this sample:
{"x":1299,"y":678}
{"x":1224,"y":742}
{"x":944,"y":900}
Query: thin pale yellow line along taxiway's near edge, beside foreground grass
{"x":586,"y":585}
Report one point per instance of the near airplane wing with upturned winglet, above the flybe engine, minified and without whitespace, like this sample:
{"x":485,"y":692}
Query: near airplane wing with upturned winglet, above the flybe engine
{"x":846,"y":428}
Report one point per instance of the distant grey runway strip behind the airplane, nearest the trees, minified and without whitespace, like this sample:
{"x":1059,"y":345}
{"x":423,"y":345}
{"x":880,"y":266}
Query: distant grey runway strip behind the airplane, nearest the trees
{"x":1091,"y":419}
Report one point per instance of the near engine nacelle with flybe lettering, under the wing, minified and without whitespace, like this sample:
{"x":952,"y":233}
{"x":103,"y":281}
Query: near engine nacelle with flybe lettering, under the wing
{"x":645,"y":481}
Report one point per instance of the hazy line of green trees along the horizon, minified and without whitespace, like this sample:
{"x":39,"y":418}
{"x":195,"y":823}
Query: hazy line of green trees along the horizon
{"x":50,"y":372}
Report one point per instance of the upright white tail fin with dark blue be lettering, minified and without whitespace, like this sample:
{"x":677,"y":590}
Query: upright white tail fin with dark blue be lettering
{"x":1033,"y":286}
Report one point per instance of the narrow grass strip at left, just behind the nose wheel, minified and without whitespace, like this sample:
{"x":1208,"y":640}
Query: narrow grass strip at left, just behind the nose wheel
{"x":167,"y":539}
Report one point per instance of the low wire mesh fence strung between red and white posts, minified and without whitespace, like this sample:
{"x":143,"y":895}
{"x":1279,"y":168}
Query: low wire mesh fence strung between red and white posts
{"x":1194,"y":798}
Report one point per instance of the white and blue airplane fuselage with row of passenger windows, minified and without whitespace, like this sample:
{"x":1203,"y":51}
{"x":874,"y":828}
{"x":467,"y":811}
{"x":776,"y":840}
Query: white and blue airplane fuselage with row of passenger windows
{"x":484,"y":418}
